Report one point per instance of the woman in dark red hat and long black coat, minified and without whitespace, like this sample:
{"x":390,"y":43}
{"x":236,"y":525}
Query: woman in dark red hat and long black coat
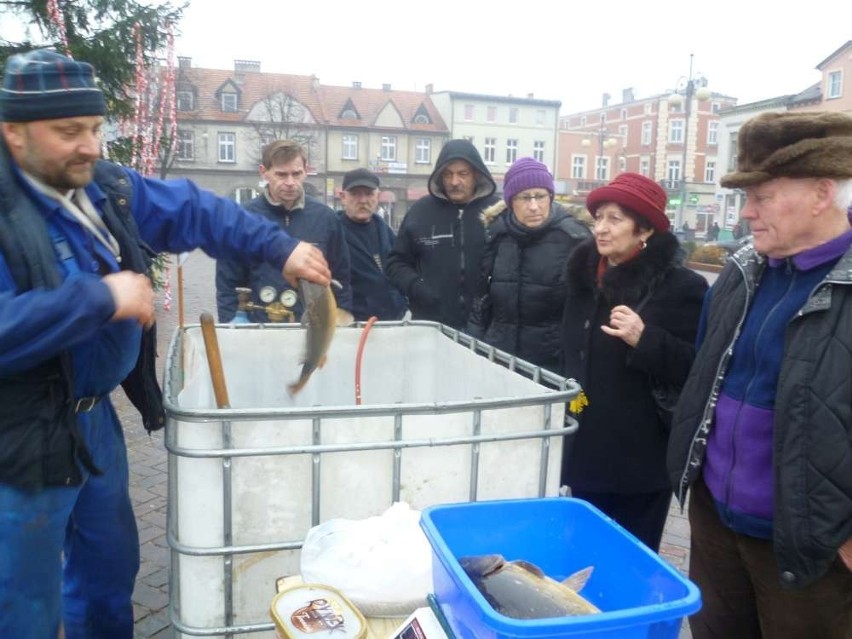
{"x":629,"y":327}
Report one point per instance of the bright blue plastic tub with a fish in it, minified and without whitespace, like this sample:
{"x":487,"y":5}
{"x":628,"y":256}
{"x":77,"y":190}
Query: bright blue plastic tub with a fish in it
{"x":640,"y":595}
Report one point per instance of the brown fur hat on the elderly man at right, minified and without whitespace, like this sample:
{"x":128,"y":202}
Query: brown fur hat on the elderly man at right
{"x":793,"y":145}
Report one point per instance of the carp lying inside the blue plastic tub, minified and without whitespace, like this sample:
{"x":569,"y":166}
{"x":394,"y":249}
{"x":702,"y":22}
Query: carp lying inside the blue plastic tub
{"x":519,"y":589}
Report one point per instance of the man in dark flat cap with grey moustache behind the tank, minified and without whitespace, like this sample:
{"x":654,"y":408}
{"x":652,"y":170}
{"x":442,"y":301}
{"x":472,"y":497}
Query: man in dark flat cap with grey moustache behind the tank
{"x":370,"y":240}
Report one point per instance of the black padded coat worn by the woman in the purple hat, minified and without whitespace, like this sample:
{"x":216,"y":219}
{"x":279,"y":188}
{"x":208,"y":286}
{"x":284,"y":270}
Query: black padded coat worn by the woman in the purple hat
{"x":524,"y":269}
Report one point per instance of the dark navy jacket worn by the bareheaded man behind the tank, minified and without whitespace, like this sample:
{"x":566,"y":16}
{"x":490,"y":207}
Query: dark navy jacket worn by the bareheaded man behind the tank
{"x":315,"y":223}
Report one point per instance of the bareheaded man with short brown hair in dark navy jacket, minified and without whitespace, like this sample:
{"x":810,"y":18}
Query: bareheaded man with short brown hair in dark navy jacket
{"x":284,"y":168}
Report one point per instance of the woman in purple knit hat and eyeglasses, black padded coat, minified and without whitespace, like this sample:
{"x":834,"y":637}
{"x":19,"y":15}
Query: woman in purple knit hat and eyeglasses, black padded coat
{"x":529,"y":239}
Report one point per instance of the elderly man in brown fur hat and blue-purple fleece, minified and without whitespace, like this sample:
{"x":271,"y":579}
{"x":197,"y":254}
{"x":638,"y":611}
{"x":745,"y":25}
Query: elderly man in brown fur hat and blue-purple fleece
{"x":763,"y":431}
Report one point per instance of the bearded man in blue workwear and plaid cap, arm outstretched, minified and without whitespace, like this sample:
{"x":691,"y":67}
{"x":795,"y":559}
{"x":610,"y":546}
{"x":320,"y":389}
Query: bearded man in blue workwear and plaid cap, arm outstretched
{"x":74,"y":302}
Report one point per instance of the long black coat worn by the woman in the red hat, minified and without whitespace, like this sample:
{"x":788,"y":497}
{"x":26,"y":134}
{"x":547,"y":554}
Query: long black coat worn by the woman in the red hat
{"x":620,"y":446}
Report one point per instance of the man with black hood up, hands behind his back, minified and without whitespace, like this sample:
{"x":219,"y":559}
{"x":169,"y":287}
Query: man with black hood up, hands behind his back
{"x":436,"y":258}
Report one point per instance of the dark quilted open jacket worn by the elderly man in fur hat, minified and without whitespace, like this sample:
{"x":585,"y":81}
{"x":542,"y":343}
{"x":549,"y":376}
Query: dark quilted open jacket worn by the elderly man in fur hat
{"x":812,"y":431}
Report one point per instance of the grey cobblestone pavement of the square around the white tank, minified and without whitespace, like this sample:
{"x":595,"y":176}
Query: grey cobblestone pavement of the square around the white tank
{"x":148,"y":468}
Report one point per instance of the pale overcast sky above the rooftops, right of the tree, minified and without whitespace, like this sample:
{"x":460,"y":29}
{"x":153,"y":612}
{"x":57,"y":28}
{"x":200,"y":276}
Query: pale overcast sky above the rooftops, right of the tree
{"x":571,"y":51}
